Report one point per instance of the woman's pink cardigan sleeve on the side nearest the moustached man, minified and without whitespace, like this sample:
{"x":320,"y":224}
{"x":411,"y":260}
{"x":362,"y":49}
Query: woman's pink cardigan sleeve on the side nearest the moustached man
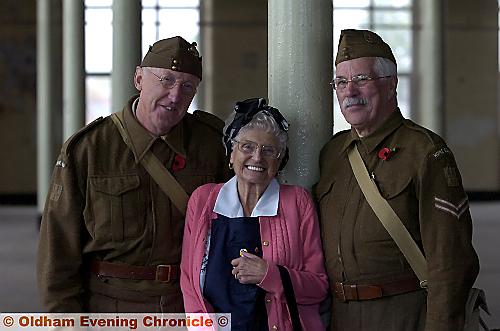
{"x":310,"y":282}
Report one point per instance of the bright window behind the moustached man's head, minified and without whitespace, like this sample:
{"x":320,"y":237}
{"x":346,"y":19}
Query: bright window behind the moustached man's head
{"x":392,"y":20}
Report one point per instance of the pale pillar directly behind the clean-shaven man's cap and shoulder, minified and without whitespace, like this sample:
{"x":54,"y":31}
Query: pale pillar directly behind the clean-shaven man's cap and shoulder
{"x":127,"y":50}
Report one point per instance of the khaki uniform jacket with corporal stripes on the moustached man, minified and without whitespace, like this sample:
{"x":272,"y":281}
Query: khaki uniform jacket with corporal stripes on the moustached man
{"x":423,"y":185}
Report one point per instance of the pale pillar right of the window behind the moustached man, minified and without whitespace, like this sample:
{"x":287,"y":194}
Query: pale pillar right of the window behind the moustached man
{"x":429,"y":100}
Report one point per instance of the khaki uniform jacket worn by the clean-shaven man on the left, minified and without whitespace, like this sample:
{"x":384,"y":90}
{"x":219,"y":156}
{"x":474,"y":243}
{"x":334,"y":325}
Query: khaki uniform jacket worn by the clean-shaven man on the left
{"x":103,"y":205}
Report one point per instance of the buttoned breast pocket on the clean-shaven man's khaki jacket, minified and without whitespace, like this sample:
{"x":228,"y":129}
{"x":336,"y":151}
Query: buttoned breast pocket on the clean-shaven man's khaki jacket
{"x":117,"y":207}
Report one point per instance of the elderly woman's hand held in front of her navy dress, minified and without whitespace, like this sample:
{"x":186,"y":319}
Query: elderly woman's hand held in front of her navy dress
{"x":249,"y":268}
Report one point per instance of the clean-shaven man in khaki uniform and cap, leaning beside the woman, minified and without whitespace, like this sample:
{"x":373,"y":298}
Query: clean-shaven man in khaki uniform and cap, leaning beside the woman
{"x":112,"y":227}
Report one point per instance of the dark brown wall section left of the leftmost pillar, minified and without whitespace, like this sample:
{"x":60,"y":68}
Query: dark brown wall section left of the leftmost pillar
{"x":17,"y":97}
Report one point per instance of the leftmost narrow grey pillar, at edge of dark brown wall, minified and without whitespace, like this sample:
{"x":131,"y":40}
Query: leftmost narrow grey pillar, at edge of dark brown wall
{"x":49,"y":92}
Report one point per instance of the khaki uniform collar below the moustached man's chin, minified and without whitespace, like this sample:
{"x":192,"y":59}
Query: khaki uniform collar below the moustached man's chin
{"x":373,"y":140}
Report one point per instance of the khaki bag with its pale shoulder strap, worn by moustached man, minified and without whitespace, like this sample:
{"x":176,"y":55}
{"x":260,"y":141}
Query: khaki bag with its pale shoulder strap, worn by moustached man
{"x":392,"y":223}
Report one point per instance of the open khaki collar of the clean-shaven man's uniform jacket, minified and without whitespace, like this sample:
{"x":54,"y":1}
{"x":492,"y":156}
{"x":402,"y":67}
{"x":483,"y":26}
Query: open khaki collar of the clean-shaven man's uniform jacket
{"x":142,"y":140}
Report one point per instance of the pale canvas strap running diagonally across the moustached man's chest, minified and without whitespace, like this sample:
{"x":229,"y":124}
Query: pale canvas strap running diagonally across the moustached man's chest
{"x":388,"y":217}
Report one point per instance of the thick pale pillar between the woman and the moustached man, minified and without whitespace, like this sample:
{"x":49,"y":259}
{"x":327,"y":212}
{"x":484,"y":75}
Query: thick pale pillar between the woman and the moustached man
{"x":299,"y":72}
